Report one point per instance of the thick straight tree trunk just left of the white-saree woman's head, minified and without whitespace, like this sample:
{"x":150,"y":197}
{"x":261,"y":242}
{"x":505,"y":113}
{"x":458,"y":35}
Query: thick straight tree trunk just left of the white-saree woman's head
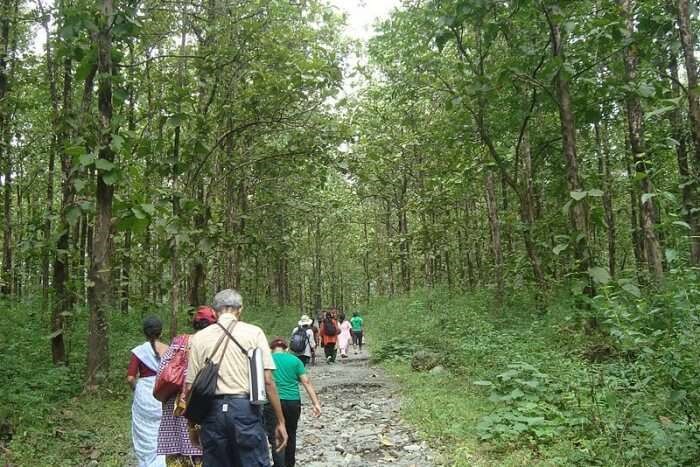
{"x":99,"y":288}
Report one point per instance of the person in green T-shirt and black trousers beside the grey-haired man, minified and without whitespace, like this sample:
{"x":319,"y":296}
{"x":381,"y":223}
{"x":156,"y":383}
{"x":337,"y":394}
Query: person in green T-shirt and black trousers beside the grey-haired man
{"x":289,"y":373}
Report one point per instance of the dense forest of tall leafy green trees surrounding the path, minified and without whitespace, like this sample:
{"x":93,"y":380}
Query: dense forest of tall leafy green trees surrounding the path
{"x":541,"y":155}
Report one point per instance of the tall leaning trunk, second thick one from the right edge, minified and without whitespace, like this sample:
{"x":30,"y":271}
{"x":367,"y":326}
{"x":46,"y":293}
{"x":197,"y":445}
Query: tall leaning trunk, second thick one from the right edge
{"x":635,"y":119}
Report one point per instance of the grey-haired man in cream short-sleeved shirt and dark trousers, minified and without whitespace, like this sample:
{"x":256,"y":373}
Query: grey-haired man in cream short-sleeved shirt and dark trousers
{"x":232,"y":432}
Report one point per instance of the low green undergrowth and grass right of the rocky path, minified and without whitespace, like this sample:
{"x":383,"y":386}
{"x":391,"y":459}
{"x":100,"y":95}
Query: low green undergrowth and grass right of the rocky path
{"x":611,"y":381}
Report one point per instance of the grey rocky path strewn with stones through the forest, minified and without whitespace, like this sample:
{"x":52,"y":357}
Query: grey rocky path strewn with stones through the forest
{"x":360,"y":425}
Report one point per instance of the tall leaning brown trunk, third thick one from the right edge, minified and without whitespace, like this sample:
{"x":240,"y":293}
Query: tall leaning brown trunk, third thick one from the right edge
{"x":579,"y":209}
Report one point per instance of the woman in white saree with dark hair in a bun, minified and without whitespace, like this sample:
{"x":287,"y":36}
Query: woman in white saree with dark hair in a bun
{"x":146,"y":411}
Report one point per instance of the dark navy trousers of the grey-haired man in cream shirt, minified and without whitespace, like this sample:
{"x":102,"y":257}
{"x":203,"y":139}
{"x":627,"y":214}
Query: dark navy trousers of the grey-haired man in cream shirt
{"x":233,"y":435}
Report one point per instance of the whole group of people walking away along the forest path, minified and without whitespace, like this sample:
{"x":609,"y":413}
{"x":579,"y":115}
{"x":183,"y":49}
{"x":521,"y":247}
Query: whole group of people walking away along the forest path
{"x":239,"y":429}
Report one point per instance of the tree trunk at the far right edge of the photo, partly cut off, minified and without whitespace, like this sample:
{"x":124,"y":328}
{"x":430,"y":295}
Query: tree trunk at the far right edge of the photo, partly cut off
{"x":685,"y":29}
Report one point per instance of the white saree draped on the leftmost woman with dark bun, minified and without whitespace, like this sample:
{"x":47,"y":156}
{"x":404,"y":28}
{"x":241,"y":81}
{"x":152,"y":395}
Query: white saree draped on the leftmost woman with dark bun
{"x":146,"y":412}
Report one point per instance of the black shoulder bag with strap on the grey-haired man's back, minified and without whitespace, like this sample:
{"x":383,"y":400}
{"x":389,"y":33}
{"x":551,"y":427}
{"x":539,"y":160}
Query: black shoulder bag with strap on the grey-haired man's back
{"x":203,"y":389}
